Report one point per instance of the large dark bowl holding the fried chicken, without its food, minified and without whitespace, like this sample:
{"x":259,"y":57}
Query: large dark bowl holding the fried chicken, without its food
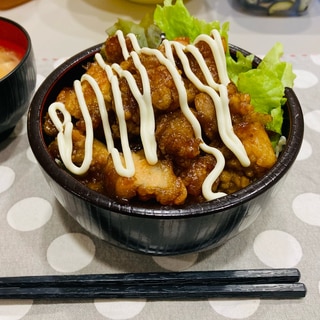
{"x":161,"y":230}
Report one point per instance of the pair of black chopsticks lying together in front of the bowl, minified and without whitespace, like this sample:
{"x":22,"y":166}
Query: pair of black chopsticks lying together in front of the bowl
{"x":254,"y":283}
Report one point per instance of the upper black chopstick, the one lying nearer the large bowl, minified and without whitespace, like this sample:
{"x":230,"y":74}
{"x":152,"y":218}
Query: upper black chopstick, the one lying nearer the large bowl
{"x":249,"y":276}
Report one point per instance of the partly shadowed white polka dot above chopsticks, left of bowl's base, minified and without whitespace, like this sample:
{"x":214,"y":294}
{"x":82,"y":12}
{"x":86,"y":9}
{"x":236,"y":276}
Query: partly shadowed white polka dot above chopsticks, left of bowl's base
{"x":70,"y":252}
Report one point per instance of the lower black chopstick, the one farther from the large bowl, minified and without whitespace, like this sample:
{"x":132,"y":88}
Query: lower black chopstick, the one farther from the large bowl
{"x":163,"y":292}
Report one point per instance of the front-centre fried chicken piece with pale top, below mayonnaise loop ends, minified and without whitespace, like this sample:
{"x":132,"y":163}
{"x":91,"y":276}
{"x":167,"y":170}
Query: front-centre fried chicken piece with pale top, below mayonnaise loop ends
{"x":149,"y":182}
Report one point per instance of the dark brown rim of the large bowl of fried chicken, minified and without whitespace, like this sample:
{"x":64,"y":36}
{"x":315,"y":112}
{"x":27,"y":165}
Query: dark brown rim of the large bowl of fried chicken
{"x":76,"y":188}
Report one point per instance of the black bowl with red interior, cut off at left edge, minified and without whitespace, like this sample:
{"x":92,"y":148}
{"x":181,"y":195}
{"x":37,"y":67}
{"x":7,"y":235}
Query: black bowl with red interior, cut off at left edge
{"x":16,"y":87}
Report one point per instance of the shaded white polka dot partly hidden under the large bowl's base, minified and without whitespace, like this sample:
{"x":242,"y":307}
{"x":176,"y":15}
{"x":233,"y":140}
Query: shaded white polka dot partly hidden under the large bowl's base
{"x":176,"y":263}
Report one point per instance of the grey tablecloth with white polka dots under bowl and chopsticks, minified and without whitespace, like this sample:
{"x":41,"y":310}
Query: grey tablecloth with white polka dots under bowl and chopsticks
{"x":38,"y":237}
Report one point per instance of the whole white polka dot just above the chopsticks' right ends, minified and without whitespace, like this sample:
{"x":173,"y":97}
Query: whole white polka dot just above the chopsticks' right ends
{"x":277,"y":249}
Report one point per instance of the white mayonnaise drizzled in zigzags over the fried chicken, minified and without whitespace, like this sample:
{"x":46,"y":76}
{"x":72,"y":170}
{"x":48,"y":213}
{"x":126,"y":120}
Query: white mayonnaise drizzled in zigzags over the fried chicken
{"x":217,"y":91}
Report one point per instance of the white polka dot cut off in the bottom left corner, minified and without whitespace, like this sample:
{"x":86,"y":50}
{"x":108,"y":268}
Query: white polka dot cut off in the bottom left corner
{"x":14,"y":309}
